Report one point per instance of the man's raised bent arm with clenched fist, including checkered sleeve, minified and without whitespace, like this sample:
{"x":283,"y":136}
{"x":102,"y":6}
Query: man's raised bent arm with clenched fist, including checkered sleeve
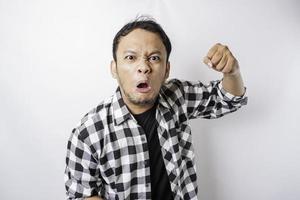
{"x":217,"y":98}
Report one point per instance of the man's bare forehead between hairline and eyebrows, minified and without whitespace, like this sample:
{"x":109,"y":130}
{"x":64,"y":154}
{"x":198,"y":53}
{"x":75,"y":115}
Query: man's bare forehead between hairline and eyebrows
{"x":141,"y":40}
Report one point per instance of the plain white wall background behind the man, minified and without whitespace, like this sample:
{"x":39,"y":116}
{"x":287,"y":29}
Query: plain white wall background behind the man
{"x":54,"y":67}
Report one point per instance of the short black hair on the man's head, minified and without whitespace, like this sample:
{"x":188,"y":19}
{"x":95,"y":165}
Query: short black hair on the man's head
{"x":146,"y":23}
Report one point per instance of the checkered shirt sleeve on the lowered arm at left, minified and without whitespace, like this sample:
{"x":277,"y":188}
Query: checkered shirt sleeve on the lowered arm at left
{"x":81,"y":172}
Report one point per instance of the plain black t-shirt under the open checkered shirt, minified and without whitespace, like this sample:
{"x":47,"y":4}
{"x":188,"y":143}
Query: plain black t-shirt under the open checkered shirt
{"x":160,"y":185}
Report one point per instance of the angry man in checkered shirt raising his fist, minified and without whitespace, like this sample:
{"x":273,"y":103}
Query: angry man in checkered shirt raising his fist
{"x":137,"y":143}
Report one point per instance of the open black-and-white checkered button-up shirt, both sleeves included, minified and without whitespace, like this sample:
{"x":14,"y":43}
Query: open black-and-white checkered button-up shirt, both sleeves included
{"x":107,"y":153}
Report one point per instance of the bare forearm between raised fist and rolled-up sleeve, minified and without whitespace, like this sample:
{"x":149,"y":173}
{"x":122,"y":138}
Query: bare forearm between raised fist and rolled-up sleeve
{"x":233,"y":83}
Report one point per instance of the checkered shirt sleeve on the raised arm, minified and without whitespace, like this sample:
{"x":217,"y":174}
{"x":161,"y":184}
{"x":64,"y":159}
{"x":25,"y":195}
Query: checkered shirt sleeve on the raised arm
{"x":210,"y":101}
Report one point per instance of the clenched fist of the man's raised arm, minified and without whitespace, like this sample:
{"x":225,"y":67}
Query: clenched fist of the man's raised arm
{"x":221,"y":59}
